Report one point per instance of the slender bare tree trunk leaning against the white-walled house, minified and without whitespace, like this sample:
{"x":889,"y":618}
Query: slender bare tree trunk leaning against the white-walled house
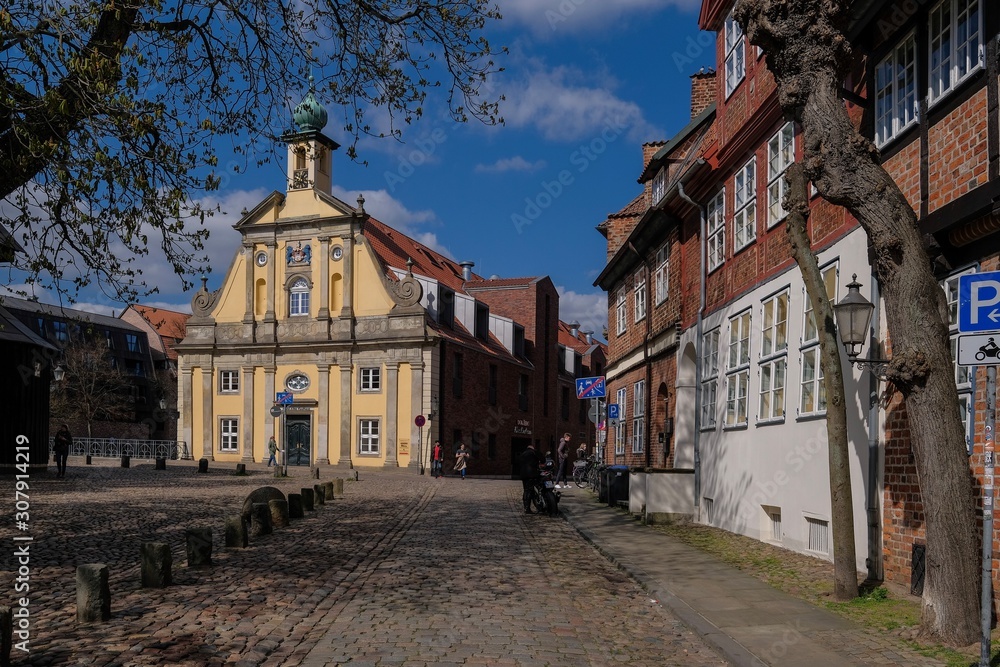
{"x":845,"y":571}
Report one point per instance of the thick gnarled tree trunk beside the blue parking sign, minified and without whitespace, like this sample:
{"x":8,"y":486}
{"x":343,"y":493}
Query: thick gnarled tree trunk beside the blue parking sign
{"x":808,"y":55}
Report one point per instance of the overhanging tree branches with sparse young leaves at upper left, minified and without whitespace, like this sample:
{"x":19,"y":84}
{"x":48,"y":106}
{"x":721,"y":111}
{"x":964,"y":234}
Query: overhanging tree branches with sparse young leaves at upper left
{"x":113,"y":114}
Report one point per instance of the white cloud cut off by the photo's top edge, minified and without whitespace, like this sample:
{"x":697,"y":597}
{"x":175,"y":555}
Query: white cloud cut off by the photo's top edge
{"x":556,"y":16}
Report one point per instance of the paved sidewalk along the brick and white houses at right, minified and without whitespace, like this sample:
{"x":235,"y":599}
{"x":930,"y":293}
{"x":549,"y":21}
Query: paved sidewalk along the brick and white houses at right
{"x":744,"y":619}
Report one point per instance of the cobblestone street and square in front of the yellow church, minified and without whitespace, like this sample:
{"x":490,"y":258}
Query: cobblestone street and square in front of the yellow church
{"x":403,"y":570}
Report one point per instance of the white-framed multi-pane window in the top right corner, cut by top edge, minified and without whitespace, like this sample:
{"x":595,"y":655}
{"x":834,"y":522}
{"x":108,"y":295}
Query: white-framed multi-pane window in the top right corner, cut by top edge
{"x":956,"y":45}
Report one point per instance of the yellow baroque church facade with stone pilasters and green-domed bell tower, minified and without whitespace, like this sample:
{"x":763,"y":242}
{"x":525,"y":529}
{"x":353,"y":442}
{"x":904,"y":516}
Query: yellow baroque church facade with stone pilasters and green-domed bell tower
{"x":307,"y":310}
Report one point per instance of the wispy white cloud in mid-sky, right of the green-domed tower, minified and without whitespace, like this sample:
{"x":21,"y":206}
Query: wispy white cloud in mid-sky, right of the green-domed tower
{"x":564,"y":105}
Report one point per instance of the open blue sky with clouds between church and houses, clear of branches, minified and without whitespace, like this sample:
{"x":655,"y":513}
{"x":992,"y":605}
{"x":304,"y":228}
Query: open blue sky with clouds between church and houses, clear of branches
{"x":586,"y":83}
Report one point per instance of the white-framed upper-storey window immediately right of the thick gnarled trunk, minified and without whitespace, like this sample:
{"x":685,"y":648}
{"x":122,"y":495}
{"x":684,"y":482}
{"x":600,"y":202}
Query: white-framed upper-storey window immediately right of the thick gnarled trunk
{"x":896,"y":91}
